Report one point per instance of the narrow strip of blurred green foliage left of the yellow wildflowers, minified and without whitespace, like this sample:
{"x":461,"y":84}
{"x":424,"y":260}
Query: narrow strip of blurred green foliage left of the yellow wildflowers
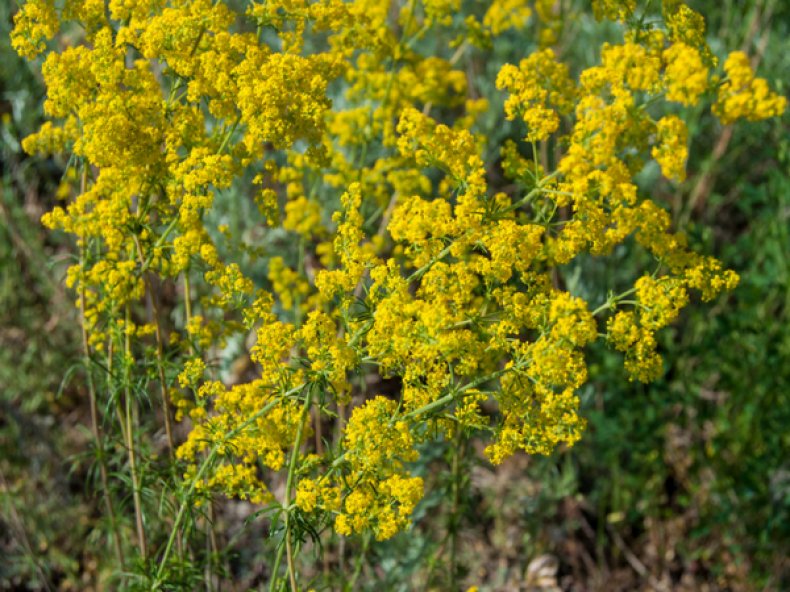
{"x":43,"y":510}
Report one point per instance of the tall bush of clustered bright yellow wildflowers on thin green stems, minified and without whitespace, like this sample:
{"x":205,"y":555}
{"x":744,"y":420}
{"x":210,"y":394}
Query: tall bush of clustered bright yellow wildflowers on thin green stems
{"x":402,"y":279}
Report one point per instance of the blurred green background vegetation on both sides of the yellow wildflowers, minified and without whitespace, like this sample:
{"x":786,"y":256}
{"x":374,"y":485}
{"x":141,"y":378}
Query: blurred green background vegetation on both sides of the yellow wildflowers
{"x":683,"y":484}
